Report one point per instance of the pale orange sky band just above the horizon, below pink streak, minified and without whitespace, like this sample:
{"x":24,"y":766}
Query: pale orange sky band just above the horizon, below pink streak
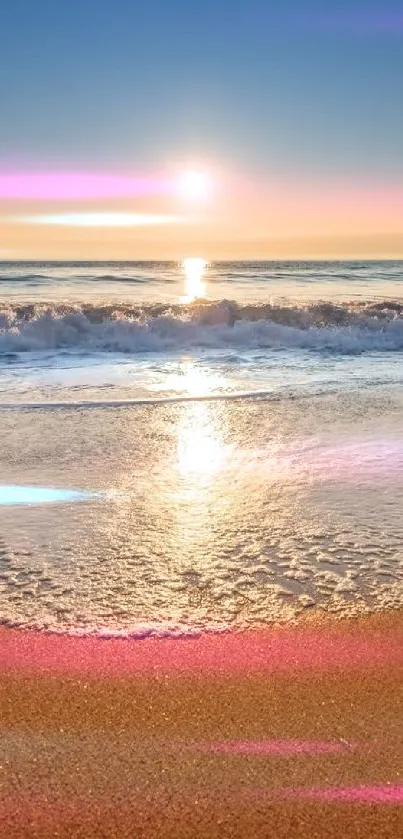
{"x":242,"y":218}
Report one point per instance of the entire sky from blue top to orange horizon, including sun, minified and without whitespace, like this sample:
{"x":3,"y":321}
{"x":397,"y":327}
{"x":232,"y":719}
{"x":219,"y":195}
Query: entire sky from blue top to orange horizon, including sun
{"x":214,"y":128}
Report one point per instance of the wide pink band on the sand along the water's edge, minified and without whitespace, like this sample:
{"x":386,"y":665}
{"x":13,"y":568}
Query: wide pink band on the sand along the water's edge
{"x":287,"y":651}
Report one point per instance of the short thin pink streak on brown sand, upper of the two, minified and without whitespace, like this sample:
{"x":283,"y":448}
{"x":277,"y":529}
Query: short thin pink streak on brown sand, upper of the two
{"x":276,"y":748}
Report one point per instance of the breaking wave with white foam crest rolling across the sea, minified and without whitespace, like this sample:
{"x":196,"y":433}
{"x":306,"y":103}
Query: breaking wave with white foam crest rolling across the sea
{"x":349,"y":328}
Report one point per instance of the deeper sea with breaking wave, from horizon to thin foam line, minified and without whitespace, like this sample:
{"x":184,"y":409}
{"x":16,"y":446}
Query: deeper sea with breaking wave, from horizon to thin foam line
{"x":108,"y":331}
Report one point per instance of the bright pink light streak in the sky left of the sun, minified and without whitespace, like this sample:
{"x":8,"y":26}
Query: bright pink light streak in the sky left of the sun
{"x":68,"y":186}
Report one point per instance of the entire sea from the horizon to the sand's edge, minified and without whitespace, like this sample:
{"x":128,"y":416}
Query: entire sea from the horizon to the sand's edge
{"x":191,"y":448}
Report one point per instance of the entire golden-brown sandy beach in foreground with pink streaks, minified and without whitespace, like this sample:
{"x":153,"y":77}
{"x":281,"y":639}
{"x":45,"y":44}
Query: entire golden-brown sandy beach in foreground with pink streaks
{"x":283,"y":733}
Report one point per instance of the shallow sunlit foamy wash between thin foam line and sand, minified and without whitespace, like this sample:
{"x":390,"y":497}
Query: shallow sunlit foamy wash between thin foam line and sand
{"x":205,"y":517}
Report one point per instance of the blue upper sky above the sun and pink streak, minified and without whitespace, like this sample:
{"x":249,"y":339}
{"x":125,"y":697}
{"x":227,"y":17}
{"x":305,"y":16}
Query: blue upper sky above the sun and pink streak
{"x":295,"y":86}
